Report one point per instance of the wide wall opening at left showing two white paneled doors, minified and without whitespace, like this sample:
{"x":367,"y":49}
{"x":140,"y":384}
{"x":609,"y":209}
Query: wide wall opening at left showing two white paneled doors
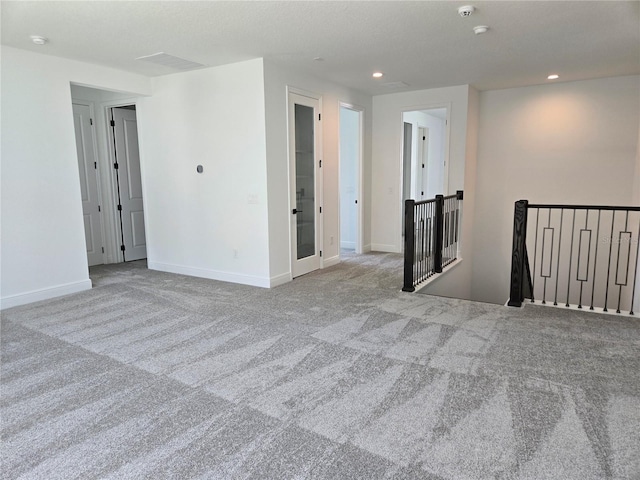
{"x":110,"y":175}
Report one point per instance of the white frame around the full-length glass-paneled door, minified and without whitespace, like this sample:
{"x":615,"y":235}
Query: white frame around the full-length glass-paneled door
{"x":318,"y":138}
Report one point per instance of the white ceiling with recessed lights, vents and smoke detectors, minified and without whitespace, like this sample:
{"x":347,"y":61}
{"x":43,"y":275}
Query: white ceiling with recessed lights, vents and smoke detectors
{"x":424,"y":44}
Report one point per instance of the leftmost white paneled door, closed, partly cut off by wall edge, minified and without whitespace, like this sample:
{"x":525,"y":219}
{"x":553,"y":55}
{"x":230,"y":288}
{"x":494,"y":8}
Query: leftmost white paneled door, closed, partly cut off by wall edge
{"x":88,"y":168}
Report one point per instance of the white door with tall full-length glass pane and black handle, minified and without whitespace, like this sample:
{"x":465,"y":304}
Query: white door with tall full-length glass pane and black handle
{"x":305,"y":194}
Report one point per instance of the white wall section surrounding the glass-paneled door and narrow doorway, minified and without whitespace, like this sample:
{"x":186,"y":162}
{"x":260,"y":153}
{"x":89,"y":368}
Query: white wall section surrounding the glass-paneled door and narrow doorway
{"x":276,"y":80}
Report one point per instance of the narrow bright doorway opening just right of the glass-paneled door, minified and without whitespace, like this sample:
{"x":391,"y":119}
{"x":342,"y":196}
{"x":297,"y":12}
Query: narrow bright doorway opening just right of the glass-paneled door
{"x":350,"y":178}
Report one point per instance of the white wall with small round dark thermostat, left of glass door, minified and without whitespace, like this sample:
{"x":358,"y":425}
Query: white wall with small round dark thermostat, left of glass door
{"x":214,"y":224}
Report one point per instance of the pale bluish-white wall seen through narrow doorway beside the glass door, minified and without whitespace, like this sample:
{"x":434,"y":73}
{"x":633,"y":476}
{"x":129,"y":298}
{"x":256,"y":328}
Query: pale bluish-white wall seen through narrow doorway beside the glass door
{"x":349,"y":157}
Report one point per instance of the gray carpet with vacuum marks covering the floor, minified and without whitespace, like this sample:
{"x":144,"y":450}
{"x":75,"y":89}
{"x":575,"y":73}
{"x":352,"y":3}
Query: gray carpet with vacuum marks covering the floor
{"x":336,"y":375}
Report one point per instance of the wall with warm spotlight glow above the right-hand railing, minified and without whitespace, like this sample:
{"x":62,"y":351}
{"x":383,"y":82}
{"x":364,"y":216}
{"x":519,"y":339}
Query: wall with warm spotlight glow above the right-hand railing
{"x":573,"y":142}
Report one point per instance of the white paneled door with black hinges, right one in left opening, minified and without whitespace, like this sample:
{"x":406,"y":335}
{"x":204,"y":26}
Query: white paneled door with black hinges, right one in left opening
{"x":129,"y":183}
